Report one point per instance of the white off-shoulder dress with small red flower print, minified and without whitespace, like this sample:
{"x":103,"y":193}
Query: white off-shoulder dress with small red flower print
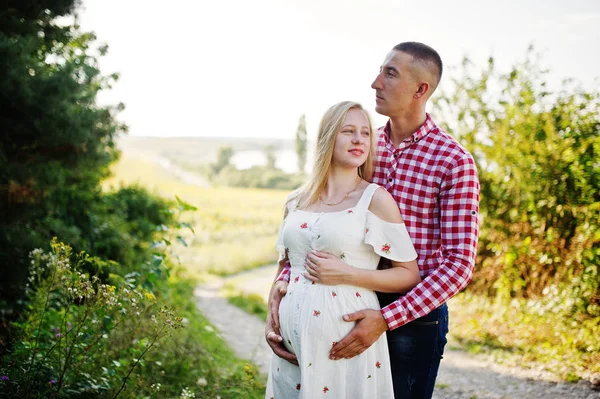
{"x":311,"y":313}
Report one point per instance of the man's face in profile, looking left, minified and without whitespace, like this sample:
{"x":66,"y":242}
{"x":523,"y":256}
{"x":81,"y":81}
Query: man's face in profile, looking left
{"x":395,"y":85}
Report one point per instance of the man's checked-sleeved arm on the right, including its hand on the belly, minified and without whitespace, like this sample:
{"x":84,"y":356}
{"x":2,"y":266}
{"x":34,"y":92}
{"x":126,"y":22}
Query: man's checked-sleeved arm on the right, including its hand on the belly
{"x":459,"y":230}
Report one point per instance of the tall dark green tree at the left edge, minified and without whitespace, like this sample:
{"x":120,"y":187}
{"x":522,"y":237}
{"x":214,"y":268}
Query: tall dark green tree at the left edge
{"x":57,"y":143}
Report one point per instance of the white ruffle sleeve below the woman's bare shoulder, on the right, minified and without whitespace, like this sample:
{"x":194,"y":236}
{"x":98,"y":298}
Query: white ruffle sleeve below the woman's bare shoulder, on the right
{"x":389,"y":240}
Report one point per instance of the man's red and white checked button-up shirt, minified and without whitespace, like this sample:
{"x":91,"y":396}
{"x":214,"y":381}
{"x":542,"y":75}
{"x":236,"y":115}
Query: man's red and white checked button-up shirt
{"x":435,"y":183}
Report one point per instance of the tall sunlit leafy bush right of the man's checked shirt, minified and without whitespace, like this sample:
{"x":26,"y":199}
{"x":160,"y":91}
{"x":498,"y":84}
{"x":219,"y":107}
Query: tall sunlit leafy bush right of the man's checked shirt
{"x":537,"y":155}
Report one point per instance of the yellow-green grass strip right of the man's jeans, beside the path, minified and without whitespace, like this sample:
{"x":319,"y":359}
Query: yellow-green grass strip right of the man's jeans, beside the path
{"x":521,"y":334}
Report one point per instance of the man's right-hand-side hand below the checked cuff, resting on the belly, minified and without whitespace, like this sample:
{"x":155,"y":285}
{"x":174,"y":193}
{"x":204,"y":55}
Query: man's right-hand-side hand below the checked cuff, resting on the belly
{"x":370,"y":324}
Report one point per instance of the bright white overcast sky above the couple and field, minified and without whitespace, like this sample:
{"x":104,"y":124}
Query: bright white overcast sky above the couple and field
{"x":242,"y":68}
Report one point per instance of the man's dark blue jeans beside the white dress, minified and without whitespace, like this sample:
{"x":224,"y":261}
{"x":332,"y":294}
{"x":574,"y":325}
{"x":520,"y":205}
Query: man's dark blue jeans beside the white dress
{"x":415,"y":352}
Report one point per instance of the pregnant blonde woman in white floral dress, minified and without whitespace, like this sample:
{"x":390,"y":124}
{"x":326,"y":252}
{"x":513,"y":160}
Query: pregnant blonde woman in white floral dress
{"x":339,"y":212}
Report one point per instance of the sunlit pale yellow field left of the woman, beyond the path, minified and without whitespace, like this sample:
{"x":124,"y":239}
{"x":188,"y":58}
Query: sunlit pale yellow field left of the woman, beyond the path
{"x":235,"y":228}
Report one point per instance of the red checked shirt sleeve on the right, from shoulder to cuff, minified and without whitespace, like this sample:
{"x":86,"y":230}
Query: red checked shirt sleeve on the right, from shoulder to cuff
{"x":459,"y":231}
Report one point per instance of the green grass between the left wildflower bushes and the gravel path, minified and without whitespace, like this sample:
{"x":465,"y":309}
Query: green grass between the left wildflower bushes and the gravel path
{"x":197,"y":358}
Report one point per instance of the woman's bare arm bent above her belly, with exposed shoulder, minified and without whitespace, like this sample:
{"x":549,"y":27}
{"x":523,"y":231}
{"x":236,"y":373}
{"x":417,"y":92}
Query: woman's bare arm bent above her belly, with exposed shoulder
{"x":329,"y":270}
